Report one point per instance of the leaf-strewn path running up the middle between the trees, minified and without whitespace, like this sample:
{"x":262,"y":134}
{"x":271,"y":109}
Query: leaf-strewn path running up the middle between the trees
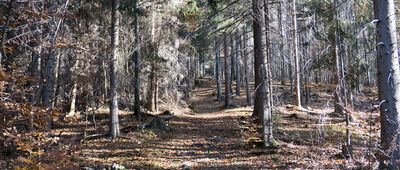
{"x":209,"y":137}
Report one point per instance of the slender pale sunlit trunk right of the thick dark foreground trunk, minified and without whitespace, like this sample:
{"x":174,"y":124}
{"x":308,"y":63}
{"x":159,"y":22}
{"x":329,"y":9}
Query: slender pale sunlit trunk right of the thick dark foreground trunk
{"x":296,"y":57}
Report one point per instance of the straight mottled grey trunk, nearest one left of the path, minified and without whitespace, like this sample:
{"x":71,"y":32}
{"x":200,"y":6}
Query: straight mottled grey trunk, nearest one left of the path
{"x":114,"y":124}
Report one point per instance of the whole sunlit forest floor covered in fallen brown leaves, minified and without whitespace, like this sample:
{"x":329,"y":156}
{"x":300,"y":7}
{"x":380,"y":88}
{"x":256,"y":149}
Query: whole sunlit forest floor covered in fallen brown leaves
{"x":207,"y":136}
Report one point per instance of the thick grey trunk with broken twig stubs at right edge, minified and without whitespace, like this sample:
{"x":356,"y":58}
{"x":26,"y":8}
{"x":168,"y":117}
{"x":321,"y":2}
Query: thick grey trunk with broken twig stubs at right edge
{"x":388,"y":81}
